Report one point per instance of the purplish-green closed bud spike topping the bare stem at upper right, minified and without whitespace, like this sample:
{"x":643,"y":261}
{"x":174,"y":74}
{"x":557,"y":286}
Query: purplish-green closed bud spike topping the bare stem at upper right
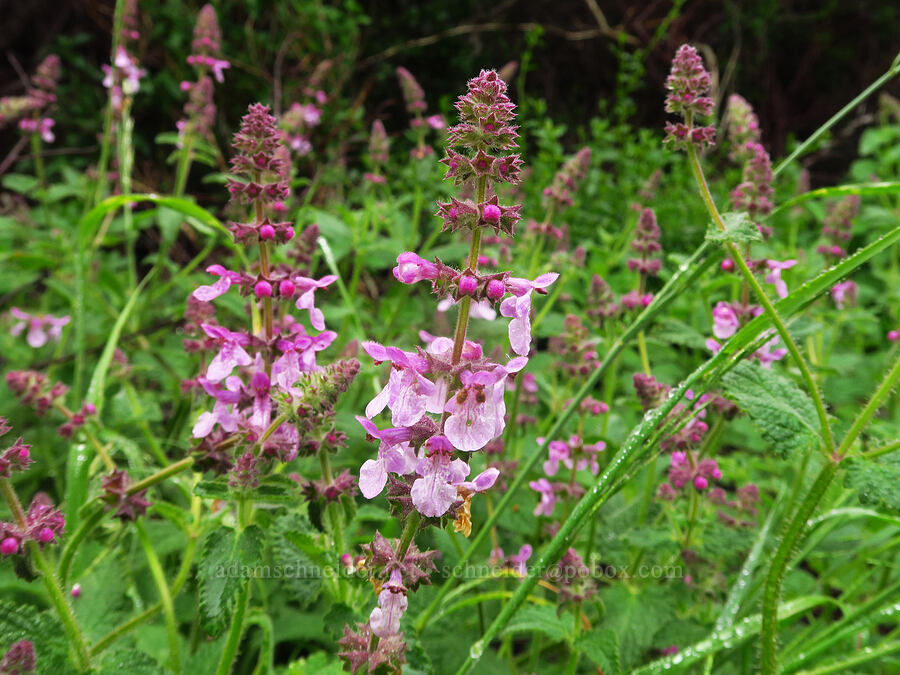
{"x":688,"y":84}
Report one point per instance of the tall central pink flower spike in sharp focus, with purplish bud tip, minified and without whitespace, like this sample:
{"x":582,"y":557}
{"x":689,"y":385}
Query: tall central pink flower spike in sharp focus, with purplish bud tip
{"x":446,"y":401}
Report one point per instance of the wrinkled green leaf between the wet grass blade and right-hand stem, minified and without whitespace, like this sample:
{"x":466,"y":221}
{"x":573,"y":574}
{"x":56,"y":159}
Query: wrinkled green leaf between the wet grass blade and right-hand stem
{"x":783,"y":413}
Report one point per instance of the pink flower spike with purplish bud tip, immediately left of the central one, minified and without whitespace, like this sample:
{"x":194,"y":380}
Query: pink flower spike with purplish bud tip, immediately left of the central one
{"x":280,"y":402}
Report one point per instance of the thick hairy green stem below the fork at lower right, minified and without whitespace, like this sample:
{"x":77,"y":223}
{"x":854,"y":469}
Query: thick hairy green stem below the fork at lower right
{"x":775,"y":576}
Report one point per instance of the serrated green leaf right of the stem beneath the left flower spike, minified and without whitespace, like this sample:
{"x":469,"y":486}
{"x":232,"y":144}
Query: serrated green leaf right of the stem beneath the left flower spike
{"x":295,"y":547}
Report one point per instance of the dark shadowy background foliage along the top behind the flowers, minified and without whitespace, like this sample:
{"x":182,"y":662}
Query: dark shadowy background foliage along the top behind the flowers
{"x":797,"y":62}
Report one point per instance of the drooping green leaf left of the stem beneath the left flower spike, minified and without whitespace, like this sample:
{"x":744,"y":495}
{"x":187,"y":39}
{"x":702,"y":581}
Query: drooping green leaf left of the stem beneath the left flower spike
{"x":227,"y":562}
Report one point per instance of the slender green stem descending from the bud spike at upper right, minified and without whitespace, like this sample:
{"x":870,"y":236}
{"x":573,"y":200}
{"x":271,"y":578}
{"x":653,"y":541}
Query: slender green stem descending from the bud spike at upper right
{"x":769,"y":308}
